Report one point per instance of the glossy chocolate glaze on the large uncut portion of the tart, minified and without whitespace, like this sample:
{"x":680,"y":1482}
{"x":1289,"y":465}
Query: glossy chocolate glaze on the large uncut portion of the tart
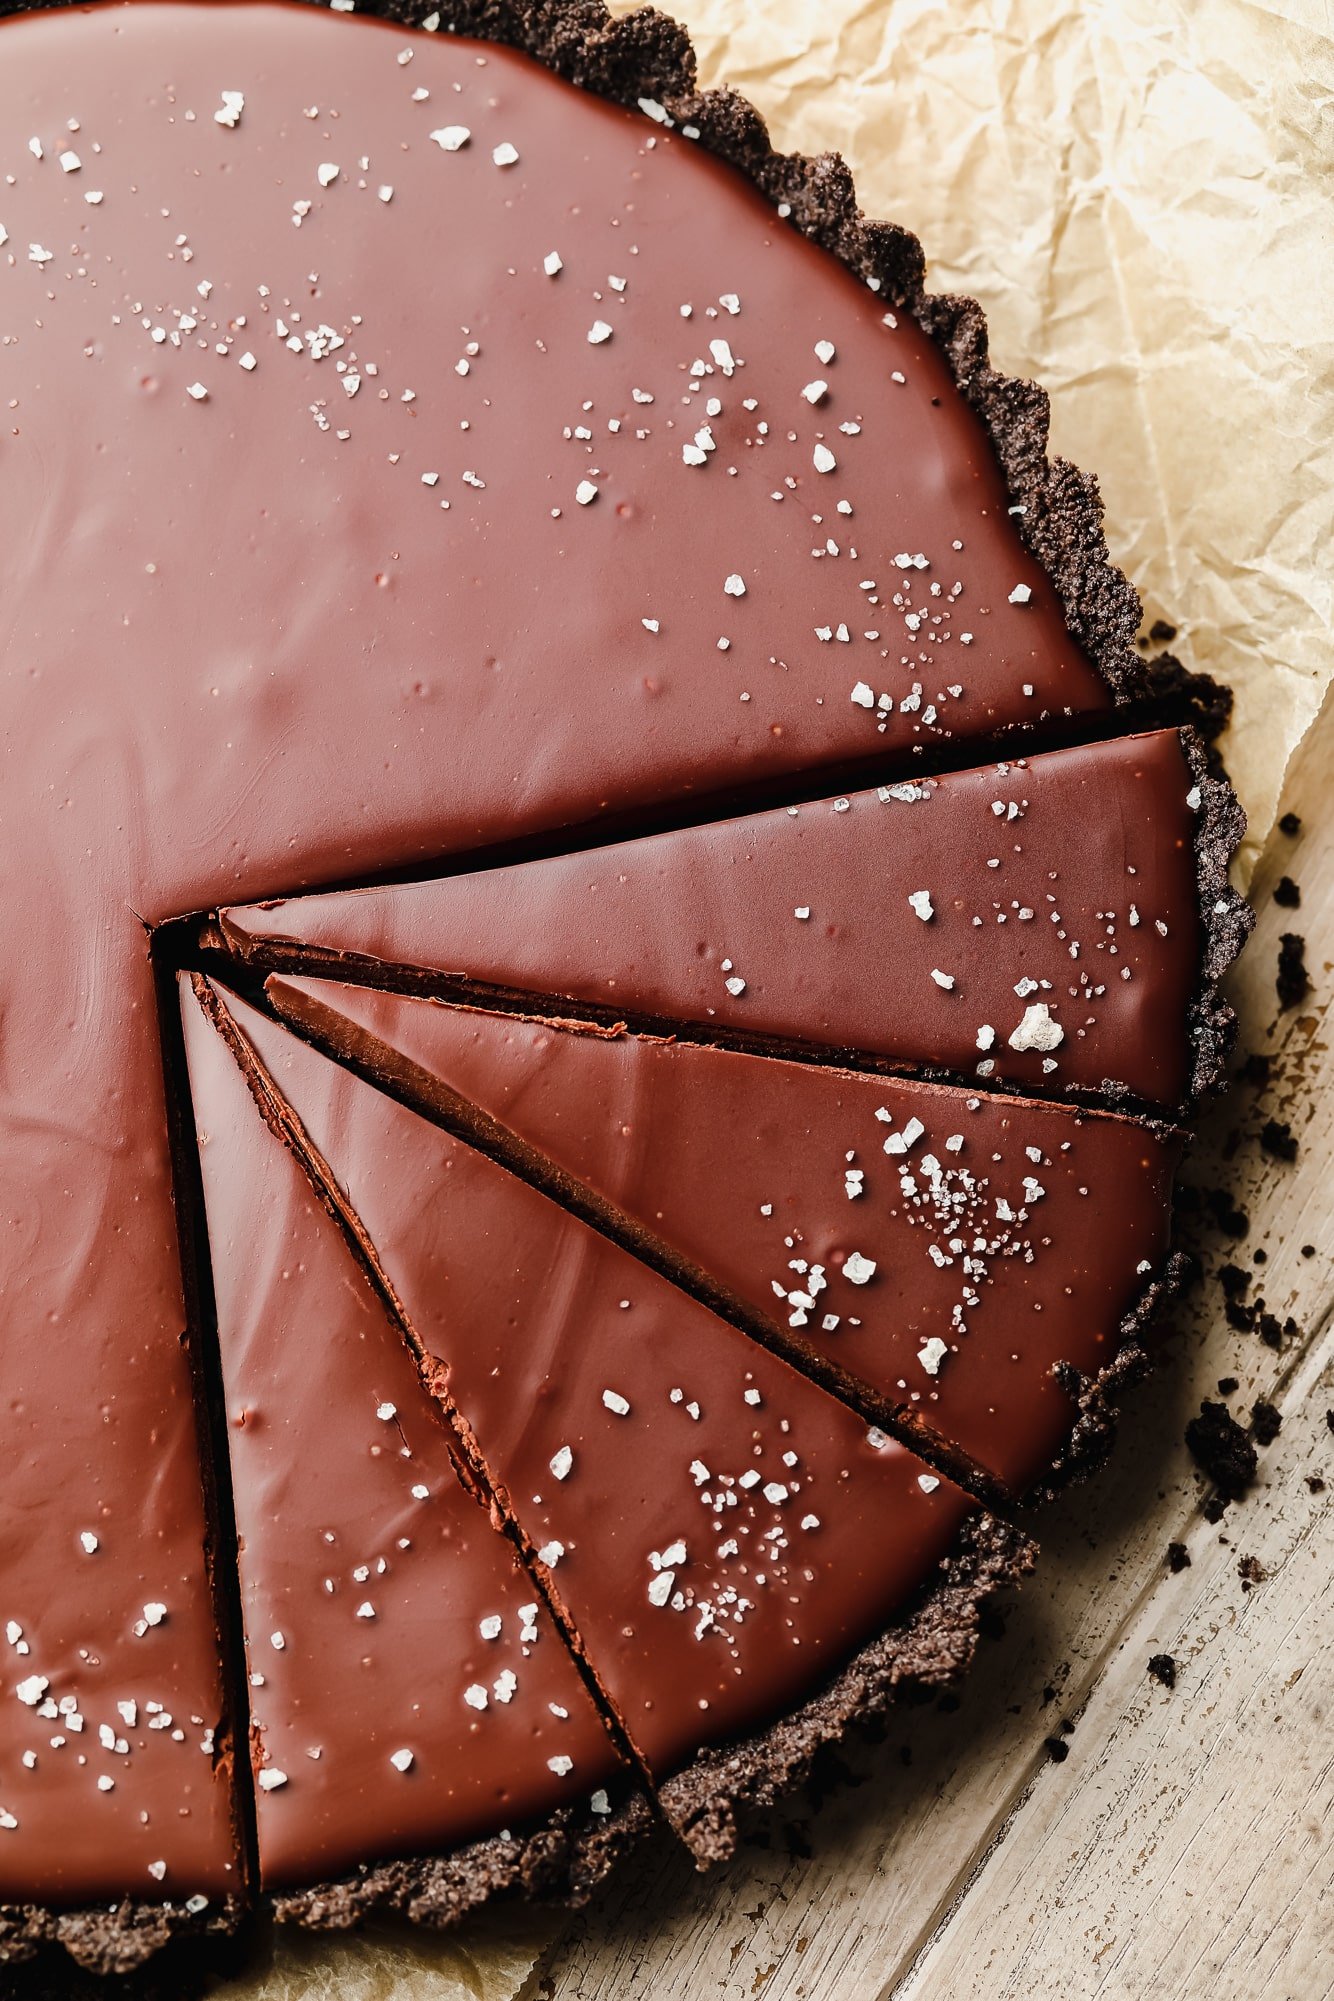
{"x":247,"y":649}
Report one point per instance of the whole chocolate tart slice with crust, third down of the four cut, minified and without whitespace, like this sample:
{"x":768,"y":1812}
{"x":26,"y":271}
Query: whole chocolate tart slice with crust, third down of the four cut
{"x":743,"y":1564}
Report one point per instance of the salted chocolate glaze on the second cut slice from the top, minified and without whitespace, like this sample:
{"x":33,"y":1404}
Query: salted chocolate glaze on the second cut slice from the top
{"x":1005,"y":1236}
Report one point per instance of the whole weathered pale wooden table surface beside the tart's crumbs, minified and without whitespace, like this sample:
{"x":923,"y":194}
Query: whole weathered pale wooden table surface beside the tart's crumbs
{"x":1185,"y":1846}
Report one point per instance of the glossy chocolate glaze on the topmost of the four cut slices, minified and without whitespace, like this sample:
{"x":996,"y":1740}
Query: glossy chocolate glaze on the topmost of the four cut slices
{"x":931,"y":923}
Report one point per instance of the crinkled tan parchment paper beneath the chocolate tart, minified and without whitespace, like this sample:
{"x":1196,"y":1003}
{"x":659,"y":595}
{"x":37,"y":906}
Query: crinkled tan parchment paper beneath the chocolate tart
{"x":1141,"y":193}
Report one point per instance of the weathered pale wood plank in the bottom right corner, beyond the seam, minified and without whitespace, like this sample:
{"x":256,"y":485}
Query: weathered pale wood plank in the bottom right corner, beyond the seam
{"x":1191,"y":1854}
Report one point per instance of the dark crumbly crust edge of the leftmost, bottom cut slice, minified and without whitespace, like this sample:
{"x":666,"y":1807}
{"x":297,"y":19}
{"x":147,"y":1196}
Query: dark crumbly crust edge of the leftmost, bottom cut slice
{"x":563,"y":1862}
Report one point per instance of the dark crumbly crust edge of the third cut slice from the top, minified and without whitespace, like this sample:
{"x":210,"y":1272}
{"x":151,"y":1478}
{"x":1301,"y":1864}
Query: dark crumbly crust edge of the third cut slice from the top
{"x":723,"y":1790}
